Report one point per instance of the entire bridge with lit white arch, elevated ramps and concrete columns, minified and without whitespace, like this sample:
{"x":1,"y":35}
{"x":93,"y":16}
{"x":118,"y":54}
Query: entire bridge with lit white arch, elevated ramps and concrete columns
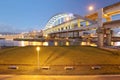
{"x":72,"y":25}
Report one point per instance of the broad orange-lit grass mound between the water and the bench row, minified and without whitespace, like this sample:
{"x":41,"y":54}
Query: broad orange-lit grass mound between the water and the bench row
{"x":74,"y":55}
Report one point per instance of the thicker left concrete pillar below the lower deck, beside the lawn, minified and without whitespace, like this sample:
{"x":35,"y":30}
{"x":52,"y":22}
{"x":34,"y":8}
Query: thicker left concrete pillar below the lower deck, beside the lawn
{"x":100,"y":33}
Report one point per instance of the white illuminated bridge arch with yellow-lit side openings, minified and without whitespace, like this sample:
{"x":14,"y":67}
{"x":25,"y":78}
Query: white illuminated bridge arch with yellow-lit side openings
{"x":66,"y":21}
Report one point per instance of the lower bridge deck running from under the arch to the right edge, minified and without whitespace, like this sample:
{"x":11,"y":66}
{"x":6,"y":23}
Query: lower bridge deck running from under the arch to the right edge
{"x":106,"y":25}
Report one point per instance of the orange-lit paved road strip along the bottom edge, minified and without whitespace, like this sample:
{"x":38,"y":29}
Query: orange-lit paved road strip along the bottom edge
{"x":53,"y":77}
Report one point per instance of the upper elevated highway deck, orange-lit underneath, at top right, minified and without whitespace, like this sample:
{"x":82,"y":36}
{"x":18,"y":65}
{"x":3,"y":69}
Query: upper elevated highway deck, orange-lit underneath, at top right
{"x":106,"y":12}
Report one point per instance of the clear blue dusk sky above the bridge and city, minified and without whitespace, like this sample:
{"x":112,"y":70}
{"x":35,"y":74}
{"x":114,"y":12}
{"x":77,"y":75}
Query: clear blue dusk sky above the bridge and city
{"x":27,"y":15}
